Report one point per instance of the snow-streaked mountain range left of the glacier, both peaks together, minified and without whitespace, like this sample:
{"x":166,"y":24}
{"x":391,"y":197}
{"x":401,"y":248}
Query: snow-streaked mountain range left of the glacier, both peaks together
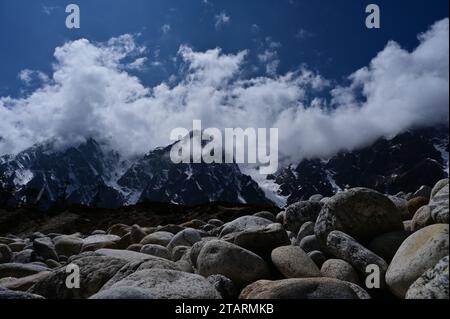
{"x":91,"y":175}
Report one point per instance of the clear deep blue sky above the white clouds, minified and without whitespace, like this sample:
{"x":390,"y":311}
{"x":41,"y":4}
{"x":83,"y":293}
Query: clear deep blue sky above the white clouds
{"x":327,"y":35}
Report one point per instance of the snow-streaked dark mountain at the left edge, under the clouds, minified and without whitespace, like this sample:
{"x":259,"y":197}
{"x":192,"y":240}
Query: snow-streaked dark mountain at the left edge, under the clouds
{"x":46,"y":176}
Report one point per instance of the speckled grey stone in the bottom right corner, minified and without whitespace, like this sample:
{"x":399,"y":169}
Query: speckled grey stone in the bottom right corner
{"x":433,"y":284}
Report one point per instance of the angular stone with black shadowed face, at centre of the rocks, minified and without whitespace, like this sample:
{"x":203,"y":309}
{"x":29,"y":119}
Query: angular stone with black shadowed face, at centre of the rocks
{"x":260,"y":240}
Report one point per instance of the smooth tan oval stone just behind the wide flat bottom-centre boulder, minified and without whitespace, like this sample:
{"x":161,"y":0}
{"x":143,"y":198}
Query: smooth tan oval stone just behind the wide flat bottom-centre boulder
{"x":293,"y":262}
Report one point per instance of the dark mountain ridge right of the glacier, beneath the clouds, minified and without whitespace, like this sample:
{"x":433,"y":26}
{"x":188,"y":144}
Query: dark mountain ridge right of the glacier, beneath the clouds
{"x":403,"y":163}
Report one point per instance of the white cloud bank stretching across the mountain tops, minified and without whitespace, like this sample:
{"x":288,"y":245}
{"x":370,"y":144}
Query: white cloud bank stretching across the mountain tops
{"x":91,"y":93}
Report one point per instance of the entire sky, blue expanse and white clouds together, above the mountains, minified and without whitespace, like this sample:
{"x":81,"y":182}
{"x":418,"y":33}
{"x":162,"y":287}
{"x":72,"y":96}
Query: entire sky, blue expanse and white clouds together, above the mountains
{"x":309,"y":68}
